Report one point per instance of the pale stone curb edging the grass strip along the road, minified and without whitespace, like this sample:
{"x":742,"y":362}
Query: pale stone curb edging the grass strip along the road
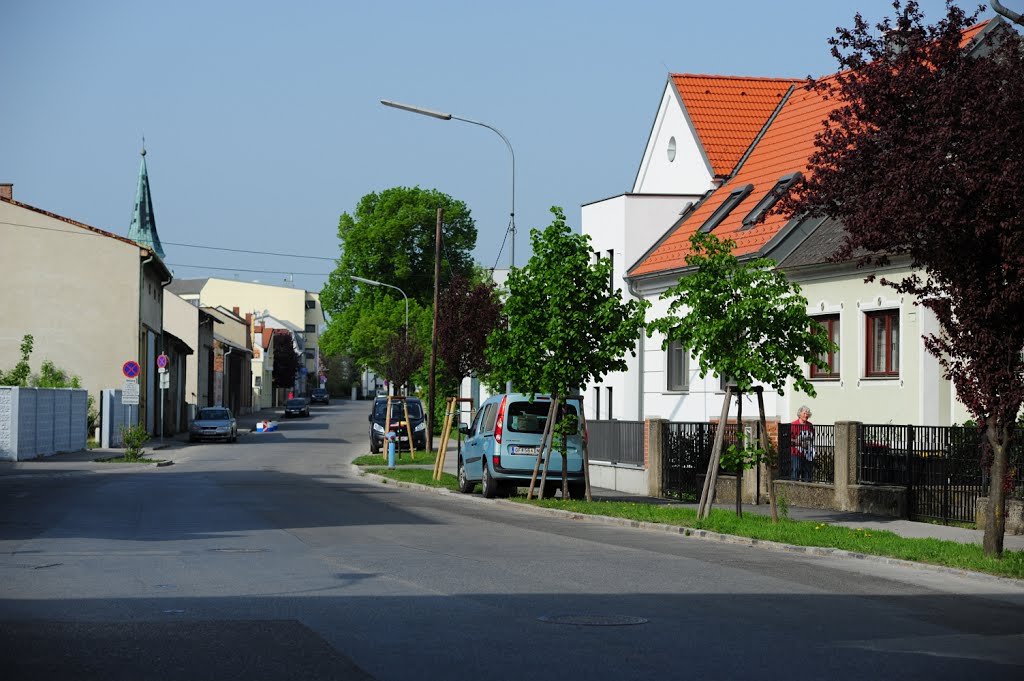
{"x":705,"y":534}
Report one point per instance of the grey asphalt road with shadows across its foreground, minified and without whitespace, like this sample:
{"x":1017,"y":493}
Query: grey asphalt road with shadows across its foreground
{"x":271,"y":560}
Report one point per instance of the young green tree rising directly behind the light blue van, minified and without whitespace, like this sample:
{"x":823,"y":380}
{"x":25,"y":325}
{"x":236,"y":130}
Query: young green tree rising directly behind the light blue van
{"x":566,"y":326}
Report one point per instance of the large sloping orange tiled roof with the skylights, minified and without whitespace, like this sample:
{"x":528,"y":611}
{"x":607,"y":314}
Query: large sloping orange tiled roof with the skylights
{"x":786,"y":148}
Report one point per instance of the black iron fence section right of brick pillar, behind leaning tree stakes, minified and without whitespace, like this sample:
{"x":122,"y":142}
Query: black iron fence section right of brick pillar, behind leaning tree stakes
{"x":687,"y":451}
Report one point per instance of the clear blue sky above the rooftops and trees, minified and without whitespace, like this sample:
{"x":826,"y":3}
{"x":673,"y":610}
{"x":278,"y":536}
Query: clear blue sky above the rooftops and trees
{"x":263,"y":120}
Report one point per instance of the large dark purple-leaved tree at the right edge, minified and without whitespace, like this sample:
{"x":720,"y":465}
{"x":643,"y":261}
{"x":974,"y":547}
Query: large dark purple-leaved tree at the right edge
{"x":925,"y":158}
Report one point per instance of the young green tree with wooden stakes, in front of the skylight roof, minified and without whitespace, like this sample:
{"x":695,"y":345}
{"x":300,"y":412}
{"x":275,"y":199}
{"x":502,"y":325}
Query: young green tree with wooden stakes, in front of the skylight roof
{"x":743,"y":320}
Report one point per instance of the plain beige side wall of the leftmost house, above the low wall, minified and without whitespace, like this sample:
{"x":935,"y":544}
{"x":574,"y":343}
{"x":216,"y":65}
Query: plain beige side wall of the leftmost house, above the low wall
{"x":76,"y":291}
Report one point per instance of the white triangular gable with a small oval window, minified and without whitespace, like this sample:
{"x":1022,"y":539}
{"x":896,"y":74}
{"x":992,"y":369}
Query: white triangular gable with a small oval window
{"x":688,"y":171}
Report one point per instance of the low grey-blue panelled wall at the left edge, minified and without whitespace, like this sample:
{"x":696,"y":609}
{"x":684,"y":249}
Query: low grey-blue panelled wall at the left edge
{"x":40,"y":422}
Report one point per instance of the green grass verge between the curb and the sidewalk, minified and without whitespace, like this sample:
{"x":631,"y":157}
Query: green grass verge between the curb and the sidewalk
{"x":937,"y":552}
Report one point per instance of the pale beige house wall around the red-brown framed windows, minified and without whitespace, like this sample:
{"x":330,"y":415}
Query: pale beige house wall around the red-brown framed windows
{"x":919,"y":396}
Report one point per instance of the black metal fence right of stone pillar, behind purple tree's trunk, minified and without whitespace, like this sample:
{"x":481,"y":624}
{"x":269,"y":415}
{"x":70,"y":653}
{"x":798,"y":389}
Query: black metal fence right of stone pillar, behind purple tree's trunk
{"x":945,"y":469}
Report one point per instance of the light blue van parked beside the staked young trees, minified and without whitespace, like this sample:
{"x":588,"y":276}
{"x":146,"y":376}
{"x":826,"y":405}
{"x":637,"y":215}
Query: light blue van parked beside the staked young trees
{"x":504,"y":441}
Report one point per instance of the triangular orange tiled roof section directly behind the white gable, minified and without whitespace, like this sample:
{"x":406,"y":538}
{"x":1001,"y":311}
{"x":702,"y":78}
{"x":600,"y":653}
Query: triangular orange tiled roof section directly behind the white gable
{"x":729,"y":112}
